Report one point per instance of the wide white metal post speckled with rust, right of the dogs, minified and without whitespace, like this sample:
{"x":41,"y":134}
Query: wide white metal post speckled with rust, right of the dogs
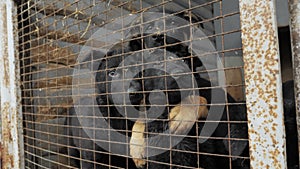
{"x":263,"y":84}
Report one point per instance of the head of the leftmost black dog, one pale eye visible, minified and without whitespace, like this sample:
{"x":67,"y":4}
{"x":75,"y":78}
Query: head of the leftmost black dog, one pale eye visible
{"x":112,"y":79}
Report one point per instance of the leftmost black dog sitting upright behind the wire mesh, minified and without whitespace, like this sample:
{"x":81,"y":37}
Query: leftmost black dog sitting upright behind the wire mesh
{"x":92,"y":154}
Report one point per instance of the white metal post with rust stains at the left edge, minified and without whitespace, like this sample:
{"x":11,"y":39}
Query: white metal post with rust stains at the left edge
{"x":12,"y":139}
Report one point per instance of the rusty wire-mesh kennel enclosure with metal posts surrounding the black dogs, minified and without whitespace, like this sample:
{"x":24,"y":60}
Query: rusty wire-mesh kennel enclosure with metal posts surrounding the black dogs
{"x":42,"y":42}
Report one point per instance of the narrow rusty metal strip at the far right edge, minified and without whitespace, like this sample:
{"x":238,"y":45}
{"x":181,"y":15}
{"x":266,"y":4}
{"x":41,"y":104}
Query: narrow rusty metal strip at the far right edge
{"x":294,"y":7}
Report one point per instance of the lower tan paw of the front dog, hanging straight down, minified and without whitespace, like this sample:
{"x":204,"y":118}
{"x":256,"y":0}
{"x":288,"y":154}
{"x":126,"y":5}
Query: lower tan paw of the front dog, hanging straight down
{"x":137,"y":143}
